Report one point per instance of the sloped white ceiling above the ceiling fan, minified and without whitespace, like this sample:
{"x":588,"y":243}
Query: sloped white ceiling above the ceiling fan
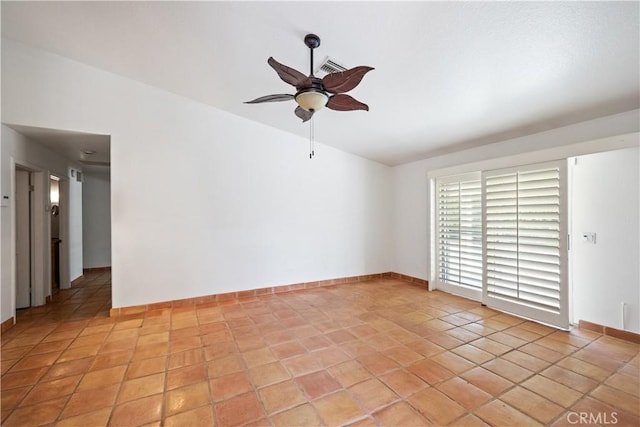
{"x":448,"y":75}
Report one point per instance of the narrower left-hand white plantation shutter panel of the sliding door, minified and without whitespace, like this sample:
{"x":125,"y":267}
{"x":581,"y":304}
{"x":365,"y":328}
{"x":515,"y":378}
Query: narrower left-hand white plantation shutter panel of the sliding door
{"x":459,"y":225}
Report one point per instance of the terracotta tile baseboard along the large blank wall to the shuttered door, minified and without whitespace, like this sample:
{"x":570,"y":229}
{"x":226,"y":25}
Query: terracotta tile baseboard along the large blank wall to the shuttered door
{"x":240,"y":295}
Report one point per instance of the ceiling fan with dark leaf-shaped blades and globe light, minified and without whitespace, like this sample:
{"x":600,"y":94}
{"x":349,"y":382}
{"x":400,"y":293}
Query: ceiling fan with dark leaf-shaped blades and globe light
{"x":313,"y":93}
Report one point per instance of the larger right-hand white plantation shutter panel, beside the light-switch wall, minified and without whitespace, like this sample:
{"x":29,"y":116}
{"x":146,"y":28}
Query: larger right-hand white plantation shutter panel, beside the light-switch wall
{"x":525,"y":242}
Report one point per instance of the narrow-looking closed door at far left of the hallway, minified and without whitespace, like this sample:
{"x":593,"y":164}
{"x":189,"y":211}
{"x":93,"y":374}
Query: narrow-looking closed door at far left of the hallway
{"x":23,"y":240}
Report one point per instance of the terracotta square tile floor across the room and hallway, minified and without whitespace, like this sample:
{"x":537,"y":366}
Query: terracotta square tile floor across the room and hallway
{"x":381,"y":353}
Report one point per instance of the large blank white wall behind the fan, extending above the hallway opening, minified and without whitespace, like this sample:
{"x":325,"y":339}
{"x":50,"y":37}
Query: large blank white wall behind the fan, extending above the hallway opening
{"x":203,"y":201}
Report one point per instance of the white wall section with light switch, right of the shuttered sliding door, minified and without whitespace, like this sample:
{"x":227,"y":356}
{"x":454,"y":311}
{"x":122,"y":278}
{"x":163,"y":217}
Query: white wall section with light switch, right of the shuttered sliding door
{"x":606,"y":200}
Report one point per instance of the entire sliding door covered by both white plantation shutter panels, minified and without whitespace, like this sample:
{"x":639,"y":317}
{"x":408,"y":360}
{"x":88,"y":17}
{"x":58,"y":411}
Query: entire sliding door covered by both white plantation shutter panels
{"x":502,"y":239}
